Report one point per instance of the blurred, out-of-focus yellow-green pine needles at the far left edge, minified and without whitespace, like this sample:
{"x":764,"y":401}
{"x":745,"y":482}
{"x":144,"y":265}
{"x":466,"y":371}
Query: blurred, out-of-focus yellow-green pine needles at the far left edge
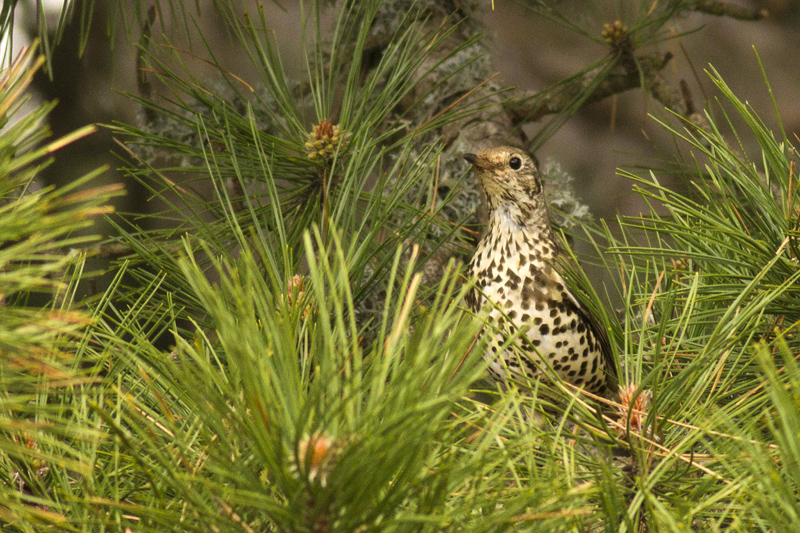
{"x":41,"y":262}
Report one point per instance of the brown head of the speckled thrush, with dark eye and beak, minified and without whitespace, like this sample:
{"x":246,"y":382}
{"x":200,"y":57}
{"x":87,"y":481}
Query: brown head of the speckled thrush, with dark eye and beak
{"x":511,"y":181}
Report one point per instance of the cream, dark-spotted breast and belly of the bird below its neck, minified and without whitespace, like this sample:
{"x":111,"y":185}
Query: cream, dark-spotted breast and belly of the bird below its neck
{"x":513,"y":272}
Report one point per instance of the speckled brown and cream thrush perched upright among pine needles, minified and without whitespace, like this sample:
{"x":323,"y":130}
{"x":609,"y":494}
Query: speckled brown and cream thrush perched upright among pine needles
{"x":516,"y":267}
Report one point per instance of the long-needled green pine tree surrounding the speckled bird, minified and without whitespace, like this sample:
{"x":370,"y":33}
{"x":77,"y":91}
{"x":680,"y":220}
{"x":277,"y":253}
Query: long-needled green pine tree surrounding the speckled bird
{"x":284,"y":346}
